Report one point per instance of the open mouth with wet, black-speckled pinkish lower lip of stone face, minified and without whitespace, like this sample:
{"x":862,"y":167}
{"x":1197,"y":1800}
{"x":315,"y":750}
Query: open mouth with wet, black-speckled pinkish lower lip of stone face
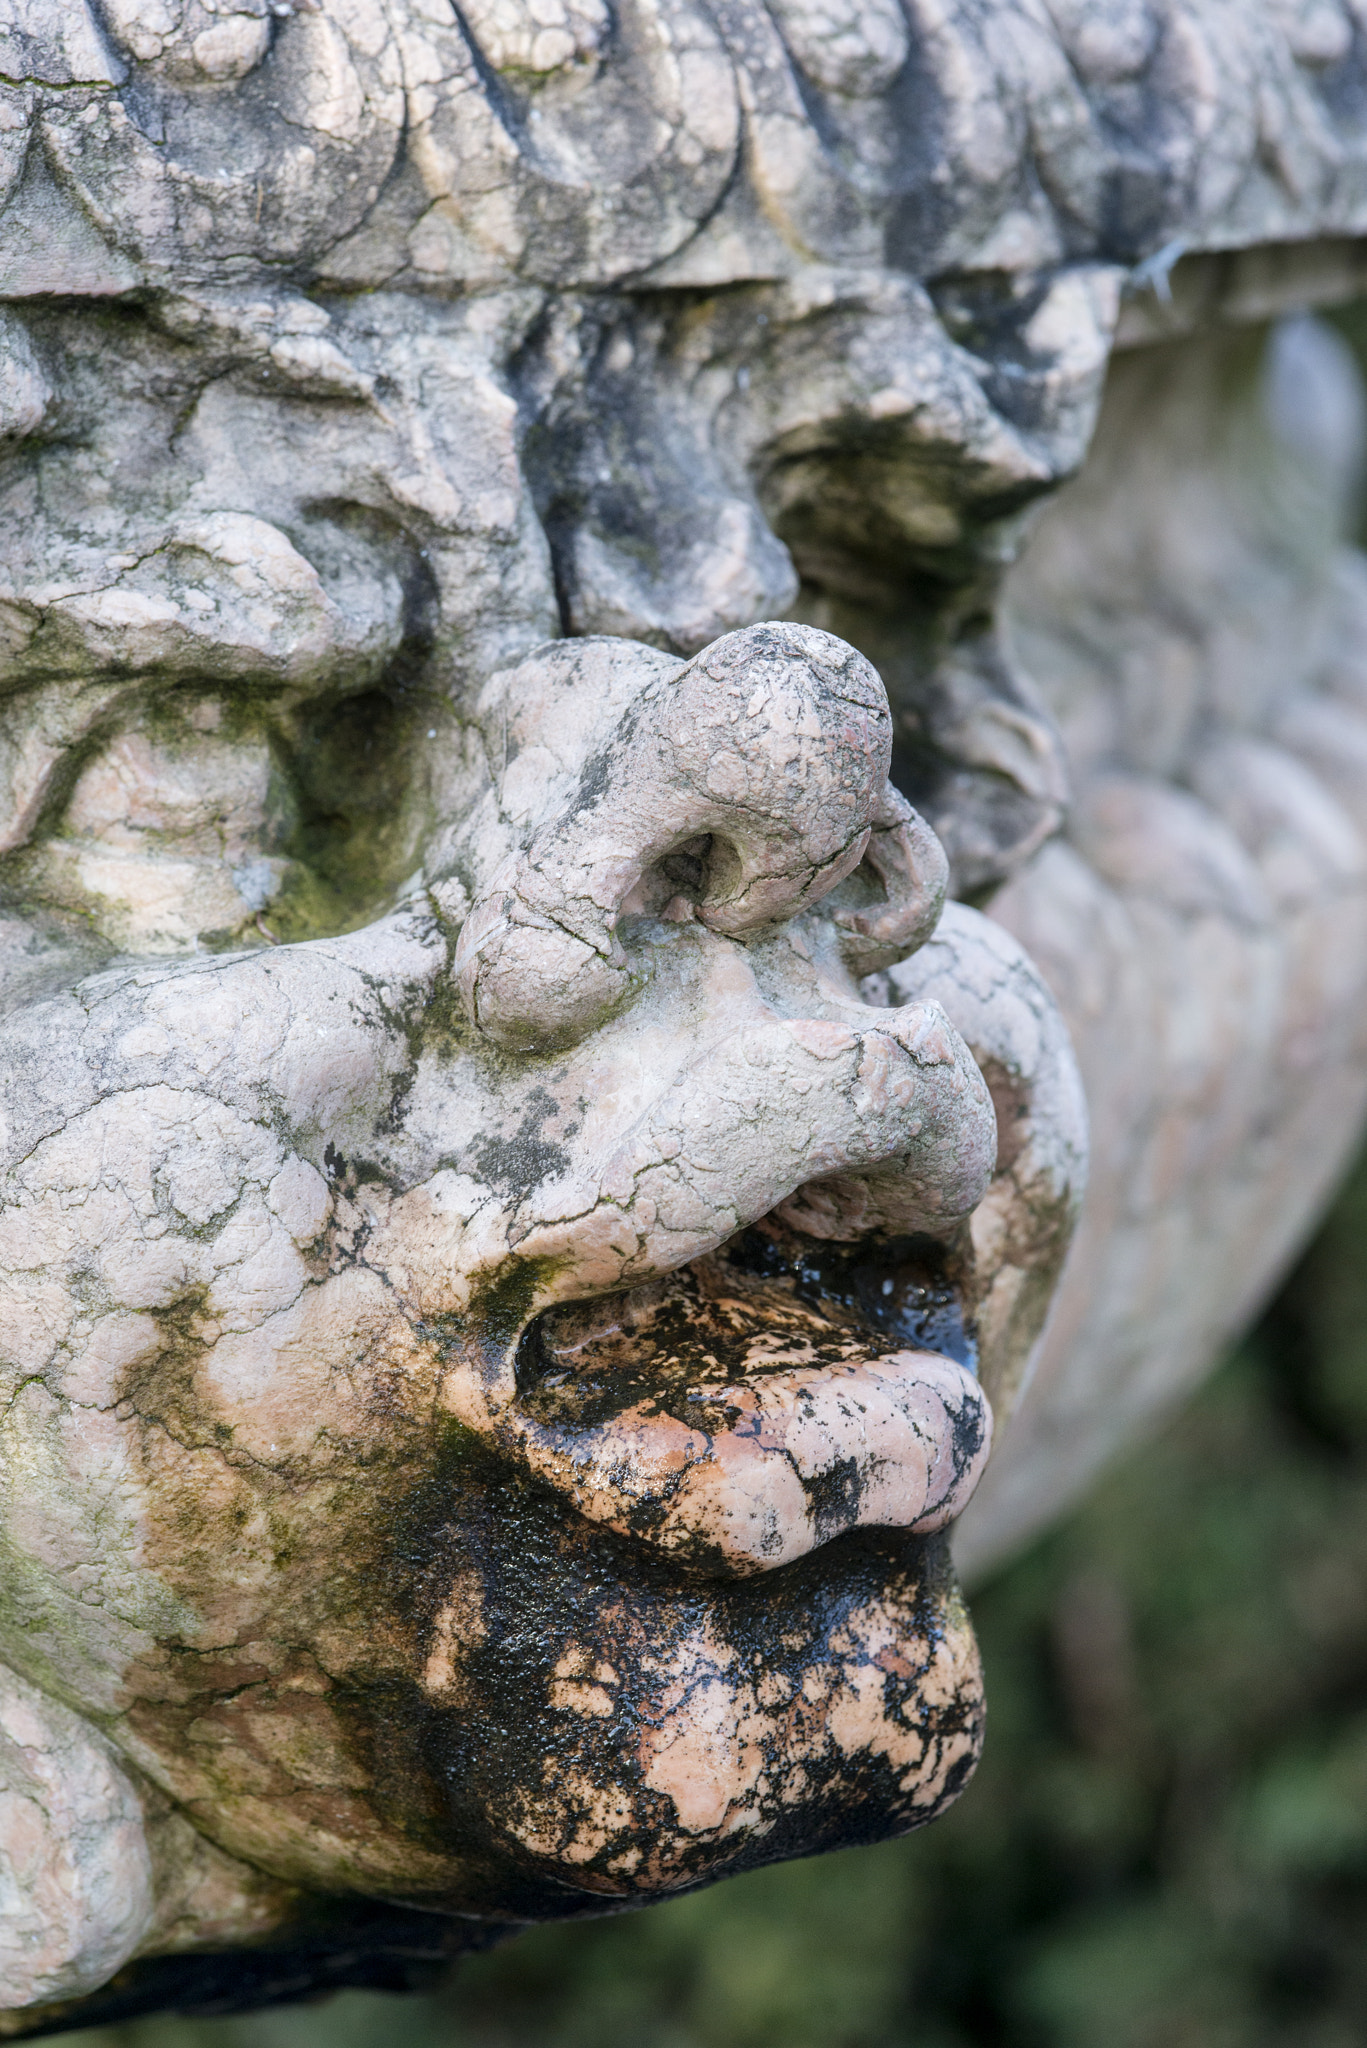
{"x":761,"y":1400}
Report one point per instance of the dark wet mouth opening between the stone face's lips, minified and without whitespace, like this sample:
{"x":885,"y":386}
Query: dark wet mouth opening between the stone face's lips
{"x":768,"y":1302}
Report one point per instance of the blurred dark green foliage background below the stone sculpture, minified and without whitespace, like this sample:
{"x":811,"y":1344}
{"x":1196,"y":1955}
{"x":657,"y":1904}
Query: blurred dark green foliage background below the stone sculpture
{"x":1165,"y":1846}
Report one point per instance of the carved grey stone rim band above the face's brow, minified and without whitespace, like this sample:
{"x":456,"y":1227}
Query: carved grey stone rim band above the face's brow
{"x":413,"y":144}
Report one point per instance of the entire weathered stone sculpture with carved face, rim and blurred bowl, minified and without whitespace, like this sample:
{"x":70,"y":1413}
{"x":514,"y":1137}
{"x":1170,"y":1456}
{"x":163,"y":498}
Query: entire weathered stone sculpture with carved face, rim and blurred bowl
{"x":524,"y":1201}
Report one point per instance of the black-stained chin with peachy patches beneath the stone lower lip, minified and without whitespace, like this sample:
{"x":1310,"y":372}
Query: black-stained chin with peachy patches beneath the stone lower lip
{"x":585,"y":1650}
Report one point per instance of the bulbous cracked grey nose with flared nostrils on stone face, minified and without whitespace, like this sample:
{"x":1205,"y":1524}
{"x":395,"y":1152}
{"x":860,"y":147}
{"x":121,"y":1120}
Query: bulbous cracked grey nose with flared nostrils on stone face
{"x":739,"y":790}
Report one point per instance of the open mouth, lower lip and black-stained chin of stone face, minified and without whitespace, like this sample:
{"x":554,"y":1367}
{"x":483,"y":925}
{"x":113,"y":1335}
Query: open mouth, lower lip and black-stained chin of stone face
{"x":743,"y":1646}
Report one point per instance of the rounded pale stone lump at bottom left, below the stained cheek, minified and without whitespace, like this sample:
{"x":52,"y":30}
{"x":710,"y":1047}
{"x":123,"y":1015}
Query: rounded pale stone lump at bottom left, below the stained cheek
{"x":75,"y":1865}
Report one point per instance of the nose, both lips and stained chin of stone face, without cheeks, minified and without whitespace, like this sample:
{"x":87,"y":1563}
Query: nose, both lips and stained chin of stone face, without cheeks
{"x":688,"y":1603}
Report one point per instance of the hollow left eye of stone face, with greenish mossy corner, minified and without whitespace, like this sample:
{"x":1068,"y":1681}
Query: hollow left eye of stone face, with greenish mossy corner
{"x":214,"y":820}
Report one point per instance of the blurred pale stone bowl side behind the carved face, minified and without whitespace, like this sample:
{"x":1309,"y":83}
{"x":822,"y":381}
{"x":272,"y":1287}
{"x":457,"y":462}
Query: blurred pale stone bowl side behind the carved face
{"x":1204,"y":921}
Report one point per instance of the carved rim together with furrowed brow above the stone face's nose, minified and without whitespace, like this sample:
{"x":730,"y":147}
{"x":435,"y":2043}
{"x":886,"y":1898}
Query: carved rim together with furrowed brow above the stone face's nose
{"x":411,"y":335}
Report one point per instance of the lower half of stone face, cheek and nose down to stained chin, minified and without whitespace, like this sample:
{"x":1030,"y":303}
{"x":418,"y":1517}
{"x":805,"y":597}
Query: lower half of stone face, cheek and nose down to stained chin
{"x":286,"y":1500}
